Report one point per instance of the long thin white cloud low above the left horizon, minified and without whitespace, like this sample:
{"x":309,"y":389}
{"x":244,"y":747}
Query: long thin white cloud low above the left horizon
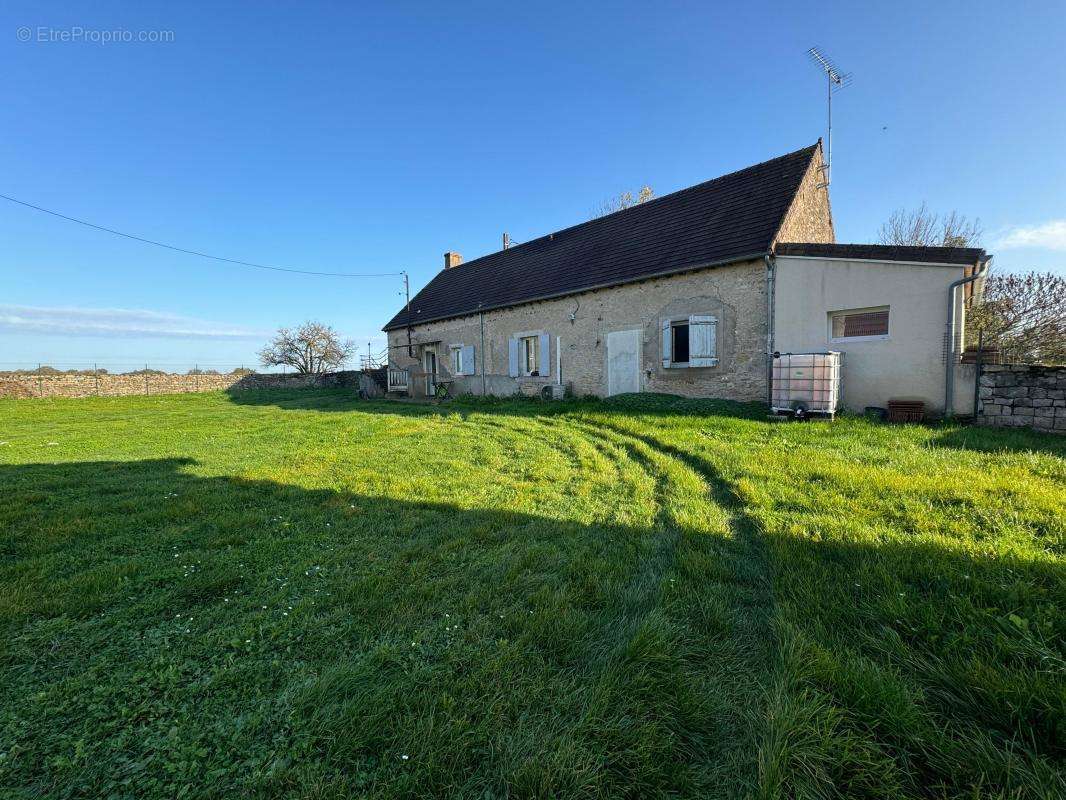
{"x":117,"y":323}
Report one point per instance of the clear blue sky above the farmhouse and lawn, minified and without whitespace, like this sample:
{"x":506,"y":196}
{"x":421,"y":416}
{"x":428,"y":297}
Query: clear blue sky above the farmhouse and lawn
{"x":334,"y":138}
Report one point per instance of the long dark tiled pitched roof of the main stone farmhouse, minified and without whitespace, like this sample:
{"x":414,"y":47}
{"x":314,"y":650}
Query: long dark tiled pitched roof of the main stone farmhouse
{"x":720,"y":221}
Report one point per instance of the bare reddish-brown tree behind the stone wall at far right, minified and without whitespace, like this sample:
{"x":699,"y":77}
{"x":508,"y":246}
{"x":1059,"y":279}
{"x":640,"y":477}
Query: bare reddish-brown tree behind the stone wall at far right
{"x":1024,"y":316}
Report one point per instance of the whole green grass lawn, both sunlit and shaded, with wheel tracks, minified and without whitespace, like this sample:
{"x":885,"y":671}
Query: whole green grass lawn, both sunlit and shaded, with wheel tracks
{"x":306,"y":596}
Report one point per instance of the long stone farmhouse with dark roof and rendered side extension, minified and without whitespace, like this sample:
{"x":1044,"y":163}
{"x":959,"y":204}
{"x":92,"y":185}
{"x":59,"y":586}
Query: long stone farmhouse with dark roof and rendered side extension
{"x":691,"y":294}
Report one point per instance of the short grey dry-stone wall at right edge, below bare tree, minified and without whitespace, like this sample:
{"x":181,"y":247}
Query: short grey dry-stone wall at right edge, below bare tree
{"x":1019,"y":396}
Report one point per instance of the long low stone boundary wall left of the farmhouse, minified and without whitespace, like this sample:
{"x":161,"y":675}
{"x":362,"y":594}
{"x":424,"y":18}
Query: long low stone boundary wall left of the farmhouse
{"x":114,"y":386}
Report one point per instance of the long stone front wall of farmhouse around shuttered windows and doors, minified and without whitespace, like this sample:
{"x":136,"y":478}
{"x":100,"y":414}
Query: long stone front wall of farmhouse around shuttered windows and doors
{"x":736,"y":295}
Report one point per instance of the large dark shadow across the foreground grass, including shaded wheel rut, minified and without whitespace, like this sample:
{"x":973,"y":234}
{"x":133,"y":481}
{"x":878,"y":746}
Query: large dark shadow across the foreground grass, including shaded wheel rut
{"x":161,"y":627}
